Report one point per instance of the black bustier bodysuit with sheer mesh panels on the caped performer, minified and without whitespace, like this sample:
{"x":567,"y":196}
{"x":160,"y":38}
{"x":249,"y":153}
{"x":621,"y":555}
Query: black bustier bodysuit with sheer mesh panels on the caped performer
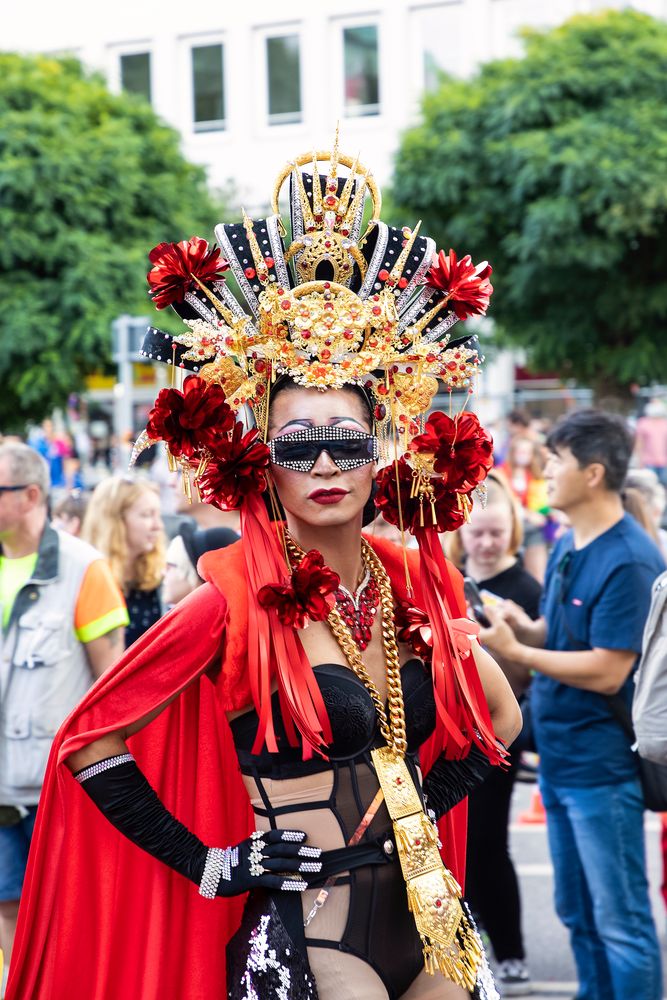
{"x":366,"y":915}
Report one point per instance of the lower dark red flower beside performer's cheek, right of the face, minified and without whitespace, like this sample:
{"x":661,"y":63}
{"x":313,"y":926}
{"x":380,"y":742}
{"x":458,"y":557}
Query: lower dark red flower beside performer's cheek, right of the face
{"x":447,"y":505}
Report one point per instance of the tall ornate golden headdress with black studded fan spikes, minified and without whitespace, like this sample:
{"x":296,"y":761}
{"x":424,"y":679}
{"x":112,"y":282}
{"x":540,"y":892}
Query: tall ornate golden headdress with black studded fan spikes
{"x":333,"y":306}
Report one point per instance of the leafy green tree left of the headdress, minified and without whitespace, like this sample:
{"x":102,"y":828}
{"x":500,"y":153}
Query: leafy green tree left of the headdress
{"x":89,"y":182}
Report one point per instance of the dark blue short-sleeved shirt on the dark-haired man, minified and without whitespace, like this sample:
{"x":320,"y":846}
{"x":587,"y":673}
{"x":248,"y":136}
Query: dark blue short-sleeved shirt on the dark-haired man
{"x":594,"y":597}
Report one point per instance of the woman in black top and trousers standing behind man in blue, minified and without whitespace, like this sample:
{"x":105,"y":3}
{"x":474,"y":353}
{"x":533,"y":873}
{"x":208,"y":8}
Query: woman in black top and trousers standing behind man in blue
{"x":487,"y":547}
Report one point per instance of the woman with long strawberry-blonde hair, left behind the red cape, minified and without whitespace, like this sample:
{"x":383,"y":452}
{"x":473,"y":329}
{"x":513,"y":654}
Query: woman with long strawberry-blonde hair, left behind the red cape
{"x":124,"y":522}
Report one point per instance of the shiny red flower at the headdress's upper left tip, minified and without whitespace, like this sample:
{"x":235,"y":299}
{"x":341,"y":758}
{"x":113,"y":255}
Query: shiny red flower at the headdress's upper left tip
{"x":174,"y":264}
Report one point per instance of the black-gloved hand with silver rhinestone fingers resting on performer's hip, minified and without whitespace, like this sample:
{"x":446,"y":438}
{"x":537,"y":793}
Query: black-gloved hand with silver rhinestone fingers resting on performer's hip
{"x":275,"y":859}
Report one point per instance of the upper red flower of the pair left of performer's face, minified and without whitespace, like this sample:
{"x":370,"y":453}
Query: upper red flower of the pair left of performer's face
{"x":191,"y":420}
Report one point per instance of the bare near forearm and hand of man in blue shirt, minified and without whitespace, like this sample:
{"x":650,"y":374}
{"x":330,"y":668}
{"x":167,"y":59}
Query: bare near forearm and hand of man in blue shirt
{"x":598,"y":669}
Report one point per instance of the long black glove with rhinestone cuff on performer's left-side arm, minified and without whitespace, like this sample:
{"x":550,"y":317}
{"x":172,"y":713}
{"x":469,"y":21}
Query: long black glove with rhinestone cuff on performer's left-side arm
{"x":123,"y":794}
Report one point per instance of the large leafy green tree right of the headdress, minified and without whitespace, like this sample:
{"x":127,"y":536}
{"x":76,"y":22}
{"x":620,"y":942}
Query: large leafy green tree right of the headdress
{"x":554,"y":166}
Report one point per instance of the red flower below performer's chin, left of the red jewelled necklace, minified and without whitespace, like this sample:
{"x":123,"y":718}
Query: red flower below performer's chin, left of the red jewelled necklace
{"x":308,"y":595}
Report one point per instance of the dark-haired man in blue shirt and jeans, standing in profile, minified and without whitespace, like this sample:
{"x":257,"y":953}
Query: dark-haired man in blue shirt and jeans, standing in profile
{"x":596,"y":600}
